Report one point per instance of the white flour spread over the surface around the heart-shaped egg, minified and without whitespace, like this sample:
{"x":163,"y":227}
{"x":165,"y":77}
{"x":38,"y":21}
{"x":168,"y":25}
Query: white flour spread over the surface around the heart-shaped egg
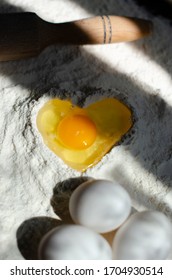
{"x":139,"y":73}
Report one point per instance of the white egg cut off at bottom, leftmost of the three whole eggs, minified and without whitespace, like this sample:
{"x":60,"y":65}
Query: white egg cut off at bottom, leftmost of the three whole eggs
{"x":74,"y":242}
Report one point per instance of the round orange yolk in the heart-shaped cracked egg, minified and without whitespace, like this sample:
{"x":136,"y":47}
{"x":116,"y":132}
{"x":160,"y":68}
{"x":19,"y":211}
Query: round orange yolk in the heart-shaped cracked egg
{"x":77,"y":131}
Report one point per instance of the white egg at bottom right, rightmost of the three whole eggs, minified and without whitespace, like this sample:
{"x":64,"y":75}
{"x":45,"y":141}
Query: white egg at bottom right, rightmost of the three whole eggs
{"x":145,"y":235}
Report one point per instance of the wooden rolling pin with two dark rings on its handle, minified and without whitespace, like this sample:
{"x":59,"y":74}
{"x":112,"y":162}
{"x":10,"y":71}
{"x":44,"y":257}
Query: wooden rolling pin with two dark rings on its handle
{"x":25,"y":35}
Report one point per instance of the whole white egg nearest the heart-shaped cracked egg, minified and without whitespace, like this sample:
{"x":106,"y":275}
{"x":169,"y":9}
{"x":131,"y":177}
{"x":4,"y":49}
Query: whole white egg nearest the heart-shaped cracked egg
{"x":101,"y":205}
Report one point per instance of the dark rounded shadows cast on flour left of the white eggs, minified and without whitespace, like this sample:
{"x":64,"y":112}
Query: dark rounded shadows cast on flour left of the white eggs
{"x":31,"y":231}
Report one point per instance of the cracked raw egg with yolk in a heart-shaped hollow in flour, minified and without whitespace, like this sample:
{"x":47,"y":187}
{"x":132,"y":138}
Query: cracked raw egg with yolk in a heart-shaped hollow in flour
{"x":82,"y":136}
